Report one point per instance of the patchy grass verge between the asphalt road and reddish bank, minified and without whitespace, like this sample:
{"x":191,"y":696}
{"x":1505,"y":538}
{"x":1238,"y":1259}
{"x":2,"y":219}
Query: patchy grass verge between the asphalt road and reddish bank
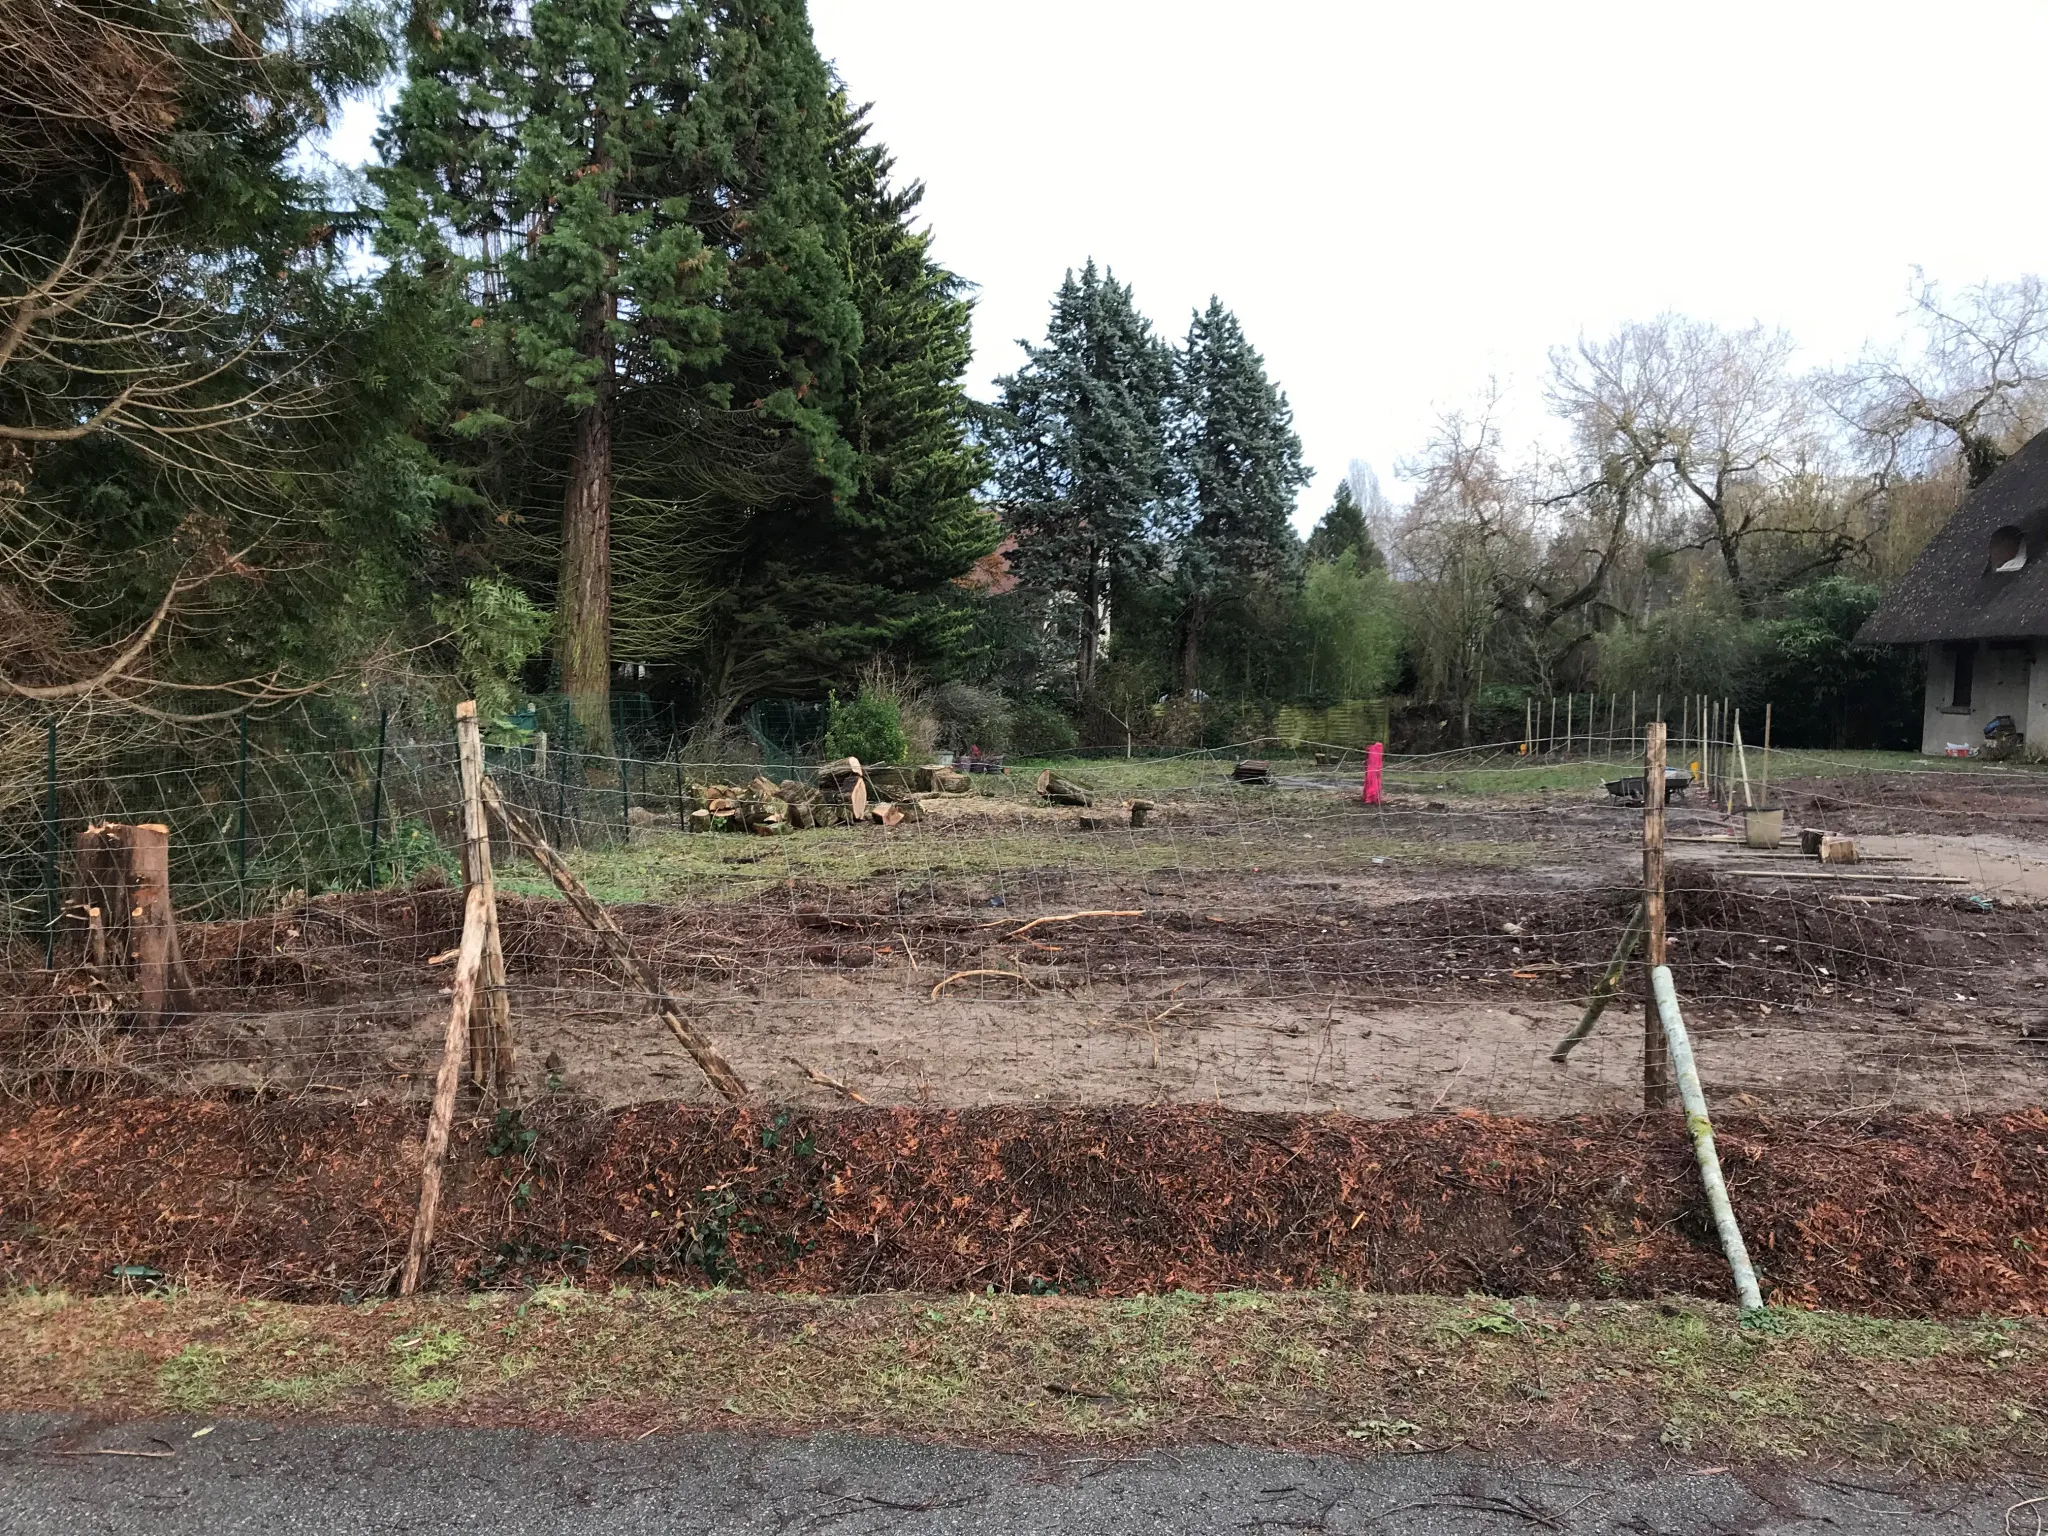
{"x":1308,"y":1371}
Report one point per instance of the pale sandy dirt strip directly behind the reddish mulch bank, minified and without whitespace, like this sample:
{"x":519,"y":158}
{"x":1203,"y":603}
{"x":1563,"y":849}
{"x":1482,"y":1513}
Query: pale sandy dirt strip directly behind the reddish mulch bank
{"x":892,"y":1046}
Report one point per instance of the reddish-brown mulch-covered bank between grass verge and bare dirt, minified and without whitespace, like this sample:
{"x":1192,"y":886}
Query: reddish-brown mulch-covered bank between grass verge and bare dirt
{"x":1902,"y":1215}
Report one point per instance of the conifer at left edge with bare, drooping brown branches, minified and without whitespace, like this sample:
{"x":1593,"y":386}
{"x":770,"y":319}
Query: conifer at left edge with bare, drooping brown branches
{"x":206,"y":409}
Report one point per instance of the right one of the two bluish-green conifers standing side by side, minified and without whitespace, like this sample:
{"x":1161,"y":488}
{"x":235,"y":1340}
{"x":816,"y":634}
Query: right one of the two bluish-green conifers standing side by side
{"x":1240,"y":470}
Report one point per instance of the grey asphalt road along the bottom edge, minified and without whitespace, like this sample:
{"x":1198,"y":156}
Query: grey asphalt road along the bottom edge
{"x":345,"y":1482}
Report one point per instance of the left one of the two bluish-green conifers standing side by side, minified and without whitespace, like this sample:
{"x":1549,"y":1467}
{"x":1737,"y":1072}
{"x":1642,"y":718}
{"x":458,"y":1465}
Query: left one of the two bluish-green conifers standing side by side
{"x":1080,"y":458}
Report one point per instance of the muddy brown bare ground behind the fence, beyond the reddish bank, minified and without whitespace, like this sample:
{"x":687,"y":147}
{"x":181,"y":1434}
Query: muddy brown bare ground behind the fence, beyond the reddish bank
{"x":1291,"y":951}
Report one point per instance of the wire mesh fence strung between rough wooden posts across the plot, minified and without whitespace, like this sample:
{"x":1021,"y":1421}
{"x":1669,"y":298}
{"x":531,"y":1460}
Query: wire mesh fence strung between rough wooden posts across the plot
{"x":1269,"y":945}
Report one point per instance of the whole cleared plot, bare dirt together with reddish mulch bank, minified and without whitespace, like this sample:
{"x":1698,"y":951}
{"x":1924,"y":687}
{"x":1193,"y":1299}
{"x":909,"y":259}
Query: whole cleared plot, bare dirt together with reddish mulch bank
{"x":1007,"y":992}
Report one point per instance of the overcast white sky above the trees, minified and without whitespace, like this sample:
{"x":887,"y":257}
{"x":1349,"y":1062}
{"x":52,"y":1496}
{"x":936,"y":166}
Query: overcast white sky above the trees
{"x":1404,"y":200}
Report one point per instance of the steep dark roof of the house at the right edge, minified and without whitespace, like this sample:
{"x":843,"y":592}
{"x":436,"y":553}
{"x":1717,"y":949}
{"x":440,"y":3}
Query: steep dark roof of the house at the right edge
{"x":1953,"y":591}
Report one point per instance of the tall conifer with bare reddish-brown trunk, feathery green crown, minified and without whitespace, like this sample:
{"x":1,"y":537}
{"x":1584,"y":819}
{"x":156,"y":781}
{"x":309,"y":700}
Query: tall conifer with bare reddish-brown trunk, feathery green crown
{"x":554,"y":163}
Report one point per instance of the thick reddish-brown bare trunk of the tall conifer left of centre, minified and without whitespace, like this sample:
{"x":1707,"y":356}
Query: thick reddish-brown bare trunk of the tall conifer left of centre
{"x":585,"y":593}
